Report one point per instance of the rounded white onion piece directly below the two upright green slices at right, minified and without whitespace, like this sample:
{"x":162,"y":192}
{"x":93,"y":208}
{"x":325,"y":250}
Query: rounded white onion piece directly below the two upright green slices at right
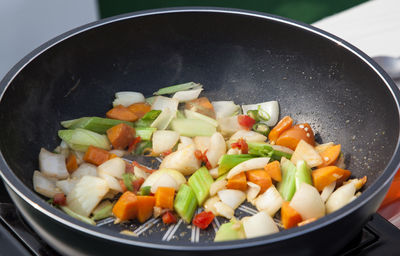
{"x":308,"y":202}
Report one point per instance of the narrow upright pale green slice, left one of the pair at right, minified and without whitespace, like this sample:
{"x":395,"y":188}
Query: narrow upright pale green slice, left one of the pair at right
{"x":287,"y":186}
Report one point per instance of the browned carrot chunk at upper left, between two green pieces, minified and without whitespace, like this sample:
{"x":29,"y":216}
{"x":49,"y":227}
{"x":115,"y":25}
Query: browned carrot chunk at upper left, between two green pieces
{"x":121,"y":135}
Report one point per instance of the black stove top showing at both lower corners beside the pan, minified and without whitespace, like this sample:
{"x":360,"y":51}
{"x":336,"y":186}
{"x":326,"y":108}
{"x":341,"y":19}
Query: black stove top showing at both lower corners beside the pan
{"x":378,"y":237}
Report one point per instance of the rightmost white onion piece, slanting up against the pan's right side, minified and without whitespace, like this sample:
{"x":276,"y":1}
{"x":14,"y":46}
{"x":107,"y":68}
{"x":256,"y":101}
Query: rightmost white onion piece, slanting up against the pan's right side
{"x":340,"y":197}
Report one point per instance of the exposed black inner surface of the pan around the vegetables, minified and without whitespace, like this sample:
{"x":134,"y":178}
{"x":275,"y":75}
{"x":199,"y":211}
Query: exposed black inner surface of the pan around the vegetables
{"x":242,"y":58}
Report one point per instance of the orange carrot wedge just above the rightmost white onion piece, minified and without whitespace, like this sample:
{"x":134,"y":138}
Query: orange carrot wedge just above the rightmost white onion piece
{"x":324,"y":176}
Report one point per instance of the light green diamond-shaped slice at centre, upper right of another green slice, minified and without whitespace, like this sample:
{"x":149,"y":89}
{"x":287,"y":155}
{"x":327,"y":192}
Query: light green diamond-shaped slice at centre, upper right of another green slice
{"x":200,"y":182}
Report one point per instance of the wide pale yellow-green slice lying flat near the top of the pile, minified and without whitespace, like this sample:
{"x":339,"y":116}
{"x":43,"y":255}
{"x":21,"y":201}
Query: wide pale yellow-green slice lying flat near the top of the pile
{"x":192,"y":127}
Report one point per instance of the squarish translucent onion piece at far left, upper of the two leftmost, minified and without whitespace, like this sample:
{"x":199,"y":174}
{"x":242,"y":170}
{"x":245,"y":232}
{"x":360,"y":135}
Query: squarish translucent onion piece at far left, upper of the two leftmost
{"x":52,"y":165}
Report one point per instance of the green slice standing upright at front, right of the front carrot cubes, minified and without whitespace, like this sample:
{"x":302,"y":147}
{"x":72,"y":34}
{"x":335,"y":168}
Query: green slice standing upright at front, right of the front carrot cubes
{"x":185,"y":203}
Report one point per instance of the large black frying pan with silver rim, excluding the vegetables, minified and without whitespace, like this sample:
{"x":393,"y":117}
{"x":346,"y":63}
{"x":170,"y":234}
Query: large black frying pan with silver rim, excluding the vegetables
{"x":243,"y":56}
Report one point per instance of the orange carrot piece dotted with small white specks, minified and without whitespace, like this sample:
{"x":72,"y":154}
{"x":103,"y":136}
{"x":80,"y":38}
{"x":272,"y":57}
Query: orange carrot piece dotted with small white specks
{"x":291,"y":137}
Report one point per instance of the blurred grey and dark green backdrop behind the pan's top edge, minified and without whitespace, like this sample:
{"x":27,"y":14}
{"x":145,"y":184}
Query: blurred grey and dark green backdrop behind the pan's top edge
{"x":26,"y":24}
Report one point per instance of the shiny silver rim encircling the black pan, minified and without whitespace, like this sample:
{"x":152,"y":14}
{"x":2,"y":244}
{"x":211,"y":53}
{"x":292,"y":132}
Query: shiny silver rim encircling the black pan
{"x":36,"y":202}
